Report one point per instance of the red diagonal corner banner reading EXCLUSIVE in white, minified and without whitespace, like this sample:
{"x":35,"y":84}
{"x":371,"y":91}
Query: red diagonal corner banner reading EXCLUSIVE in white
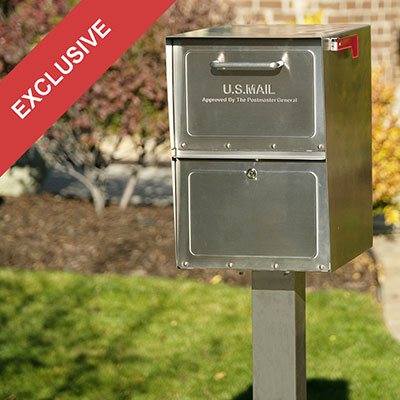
{"x":64,"y":65}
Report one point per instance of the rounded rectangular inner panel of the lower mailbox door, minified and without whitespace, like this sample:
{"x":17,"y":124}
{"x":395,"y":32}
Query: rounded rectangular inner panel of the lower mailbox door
{"x":232,"y":214}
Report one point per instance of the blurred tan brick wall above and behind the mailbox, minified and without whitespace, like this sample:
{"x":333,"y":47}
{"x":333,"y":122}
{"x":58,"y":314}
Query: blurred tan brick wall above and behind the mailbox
{"x":383,"y":15}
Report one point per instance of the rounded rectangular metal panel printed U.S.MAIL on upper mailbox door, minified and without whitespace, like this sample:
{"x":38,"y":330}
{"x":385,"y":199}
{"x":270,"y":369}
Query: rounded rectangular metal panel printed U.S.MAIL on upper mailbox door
{"x":252,"y":103}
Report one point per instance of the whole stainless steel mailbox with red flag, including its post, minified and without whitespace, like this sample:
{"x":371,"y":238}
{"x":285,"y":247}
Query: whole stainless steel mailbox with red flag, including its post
{"x":271,"y":147}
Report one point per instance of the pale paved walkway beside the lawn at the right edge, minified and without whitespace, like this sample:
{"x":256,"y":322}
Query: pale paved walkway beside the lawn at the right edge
{"x":387,"y":251}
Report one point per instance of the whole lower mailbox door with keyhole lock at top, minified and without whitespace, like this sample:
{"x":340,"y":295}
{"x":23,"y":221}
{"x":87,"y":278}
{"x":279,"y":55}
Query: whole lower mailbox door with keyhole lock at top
{"x":251,"y":215}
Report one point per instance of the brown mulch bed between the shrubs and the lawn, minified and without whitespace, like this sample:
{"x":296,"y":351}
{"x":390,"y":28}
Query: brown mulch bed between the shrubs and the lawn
{"x":40,"y":232}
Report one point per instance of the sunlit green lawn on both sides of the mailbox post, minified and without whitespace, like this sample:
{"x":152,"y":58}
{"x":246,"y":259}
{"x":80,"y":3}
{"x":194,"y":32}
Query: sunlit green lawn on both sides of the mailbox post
{"x":68,"y":336}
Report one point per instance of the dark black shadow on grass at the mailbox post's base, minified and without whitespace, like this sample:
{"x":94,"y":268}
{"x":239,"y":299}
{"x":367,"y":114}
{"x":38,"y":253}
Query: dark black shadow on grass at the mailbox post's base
{"x":317,"y":389}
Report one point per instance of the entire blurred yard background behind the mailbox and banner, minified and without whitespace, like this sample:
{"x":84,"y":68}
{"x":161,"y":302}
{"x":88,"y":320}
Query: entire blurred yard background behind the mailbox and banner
{"x":86,"y":228}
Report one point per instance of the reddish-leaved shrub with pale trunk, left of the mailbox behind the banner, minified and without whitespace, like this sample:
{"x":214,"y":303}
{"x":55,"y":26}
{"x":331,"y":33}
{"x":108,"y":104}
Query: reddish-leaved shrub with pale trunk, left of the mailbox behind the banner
{"x":130,"y":99}
